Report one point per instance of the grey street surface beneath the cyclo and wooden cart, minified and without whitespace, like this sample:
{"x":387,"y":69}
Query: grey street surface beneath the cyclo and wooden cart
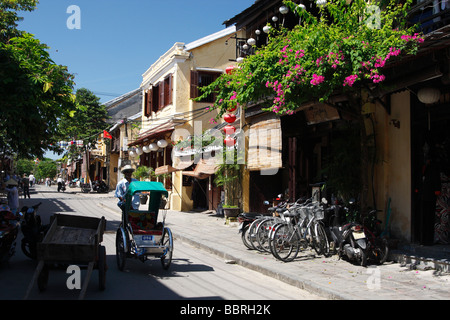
{"x":194,"y":274}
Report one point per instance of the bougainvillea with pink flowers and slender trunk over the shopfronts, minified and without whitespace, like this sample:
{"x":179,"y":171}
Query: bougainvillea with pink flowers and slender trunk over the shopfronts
{"x":341,"y":52}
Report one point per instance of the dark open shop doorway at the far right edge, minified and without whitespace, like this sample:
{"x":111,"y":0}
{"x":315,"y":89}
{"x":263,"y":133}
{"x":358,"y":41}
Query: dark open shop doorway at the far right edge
{"x":430,"y":163}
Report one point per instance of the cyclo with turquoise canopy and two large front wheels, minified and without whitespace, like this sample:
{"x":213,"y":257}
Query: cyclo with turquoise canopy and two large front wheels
{"x":140,"y":235}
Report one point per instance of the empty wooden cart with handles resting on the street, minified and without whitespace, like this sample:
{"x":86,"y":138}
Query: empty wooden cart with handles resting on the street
{"x":72,"y":240}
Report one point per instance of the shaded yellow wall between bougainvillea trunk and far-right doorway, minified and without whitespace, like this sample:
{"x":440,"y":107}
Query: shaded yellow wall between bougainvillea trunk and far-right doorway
{"x":393,"y":168}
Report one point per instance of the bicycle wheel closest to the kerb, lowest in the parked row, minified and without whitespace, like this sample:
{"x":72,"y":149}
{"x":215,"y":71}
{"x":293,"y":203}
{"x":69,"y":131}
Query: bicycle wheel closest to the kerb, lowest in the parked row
{"x":285,"y":243}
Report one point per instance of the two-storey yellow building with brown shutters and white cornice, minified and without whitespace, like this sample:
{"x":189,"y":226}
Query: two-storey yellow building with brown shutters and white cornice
{"x":168,"y":87}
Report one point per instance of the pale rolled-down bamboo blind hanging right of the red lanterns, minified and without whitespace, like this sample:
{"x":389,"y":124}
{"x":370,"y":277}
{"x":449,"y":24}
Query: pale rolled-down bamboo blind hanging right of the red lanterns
{"x":265,"y":146}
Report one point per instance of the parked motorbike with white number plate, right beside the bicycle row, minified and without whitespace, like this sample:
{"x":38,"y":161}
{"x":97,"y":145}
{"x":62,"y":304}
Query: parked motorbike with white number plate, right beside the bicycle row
{"x":349,"y":239}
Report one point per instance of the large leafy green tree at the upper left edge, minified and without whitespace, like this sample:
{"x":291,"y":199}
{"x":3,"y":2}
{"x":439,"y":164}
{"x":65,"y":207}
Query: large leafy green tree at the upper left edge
{"x":34,"y":91}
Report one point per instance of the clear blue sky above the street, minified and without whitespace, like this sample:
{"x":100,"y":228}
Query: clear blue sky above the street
{"x":119,"y":40}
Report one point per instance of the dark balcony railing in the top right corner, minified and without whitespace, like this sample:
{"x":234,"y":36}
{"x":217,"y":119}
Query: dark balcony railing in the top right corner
{"x":430,"y":15}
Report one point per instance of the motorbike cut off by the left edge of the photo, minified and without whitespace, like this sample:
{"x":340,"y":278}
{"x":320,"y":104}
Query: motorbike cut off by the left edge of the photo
{"x":9,"y":229}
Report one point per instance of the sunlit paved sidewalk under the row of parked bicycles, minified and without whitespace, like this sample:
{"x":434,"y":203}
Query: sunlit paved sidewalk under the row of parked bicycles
{"x":328,"y":277}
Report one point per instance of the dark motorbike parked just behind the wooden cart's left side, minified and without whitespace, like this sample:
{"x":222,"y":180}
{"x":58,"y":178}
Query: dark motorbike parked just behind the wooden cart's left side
{"x":32,"y":229}
